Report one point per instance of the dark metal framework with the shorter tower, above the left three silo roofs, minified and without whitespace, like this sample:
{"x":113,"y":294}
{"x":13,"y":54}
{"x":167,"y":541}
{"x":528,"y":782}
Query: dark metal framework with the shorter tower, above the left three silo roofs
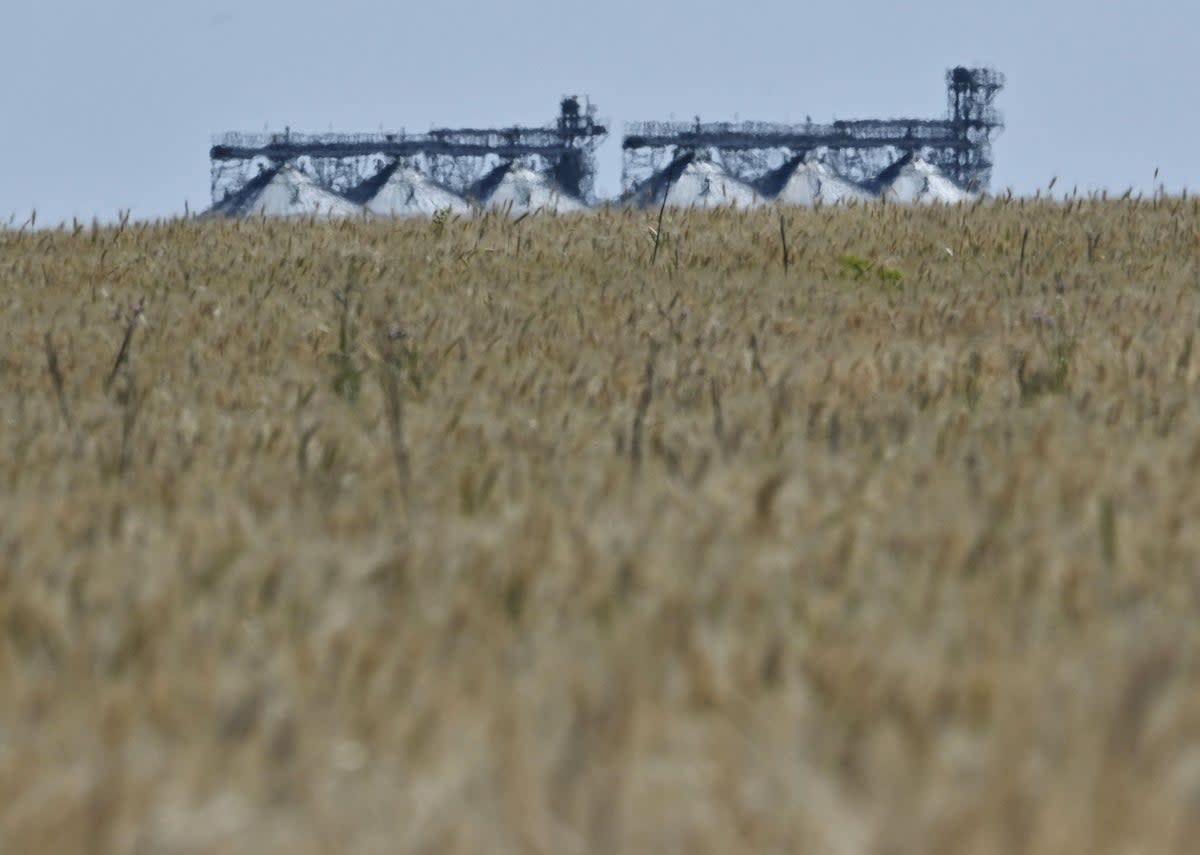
{"x":458,"y":159}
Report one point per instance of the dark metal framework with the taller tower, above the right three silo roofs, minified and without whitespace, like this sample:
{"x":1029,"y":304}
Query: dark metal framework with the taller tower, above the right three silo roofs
{"x":961,"y":145}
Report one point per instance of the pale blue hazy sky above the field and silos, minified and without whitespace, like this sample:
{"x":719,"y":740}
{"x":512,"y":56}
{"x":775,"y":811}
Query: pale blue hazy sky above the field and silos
{"x":112,"y":105}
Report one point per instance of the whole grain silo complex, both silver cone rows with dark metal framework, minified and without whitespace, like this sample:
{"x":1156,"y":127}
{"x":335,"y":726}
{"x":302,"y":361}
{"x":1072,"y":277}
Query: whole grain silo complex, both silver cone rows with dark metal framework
{"x":553,"y":169}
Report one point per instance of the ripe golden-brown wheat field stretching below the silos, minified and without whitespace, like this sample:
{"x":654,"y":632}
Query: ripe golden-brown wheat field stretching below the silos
{"x":865,"y":530}
